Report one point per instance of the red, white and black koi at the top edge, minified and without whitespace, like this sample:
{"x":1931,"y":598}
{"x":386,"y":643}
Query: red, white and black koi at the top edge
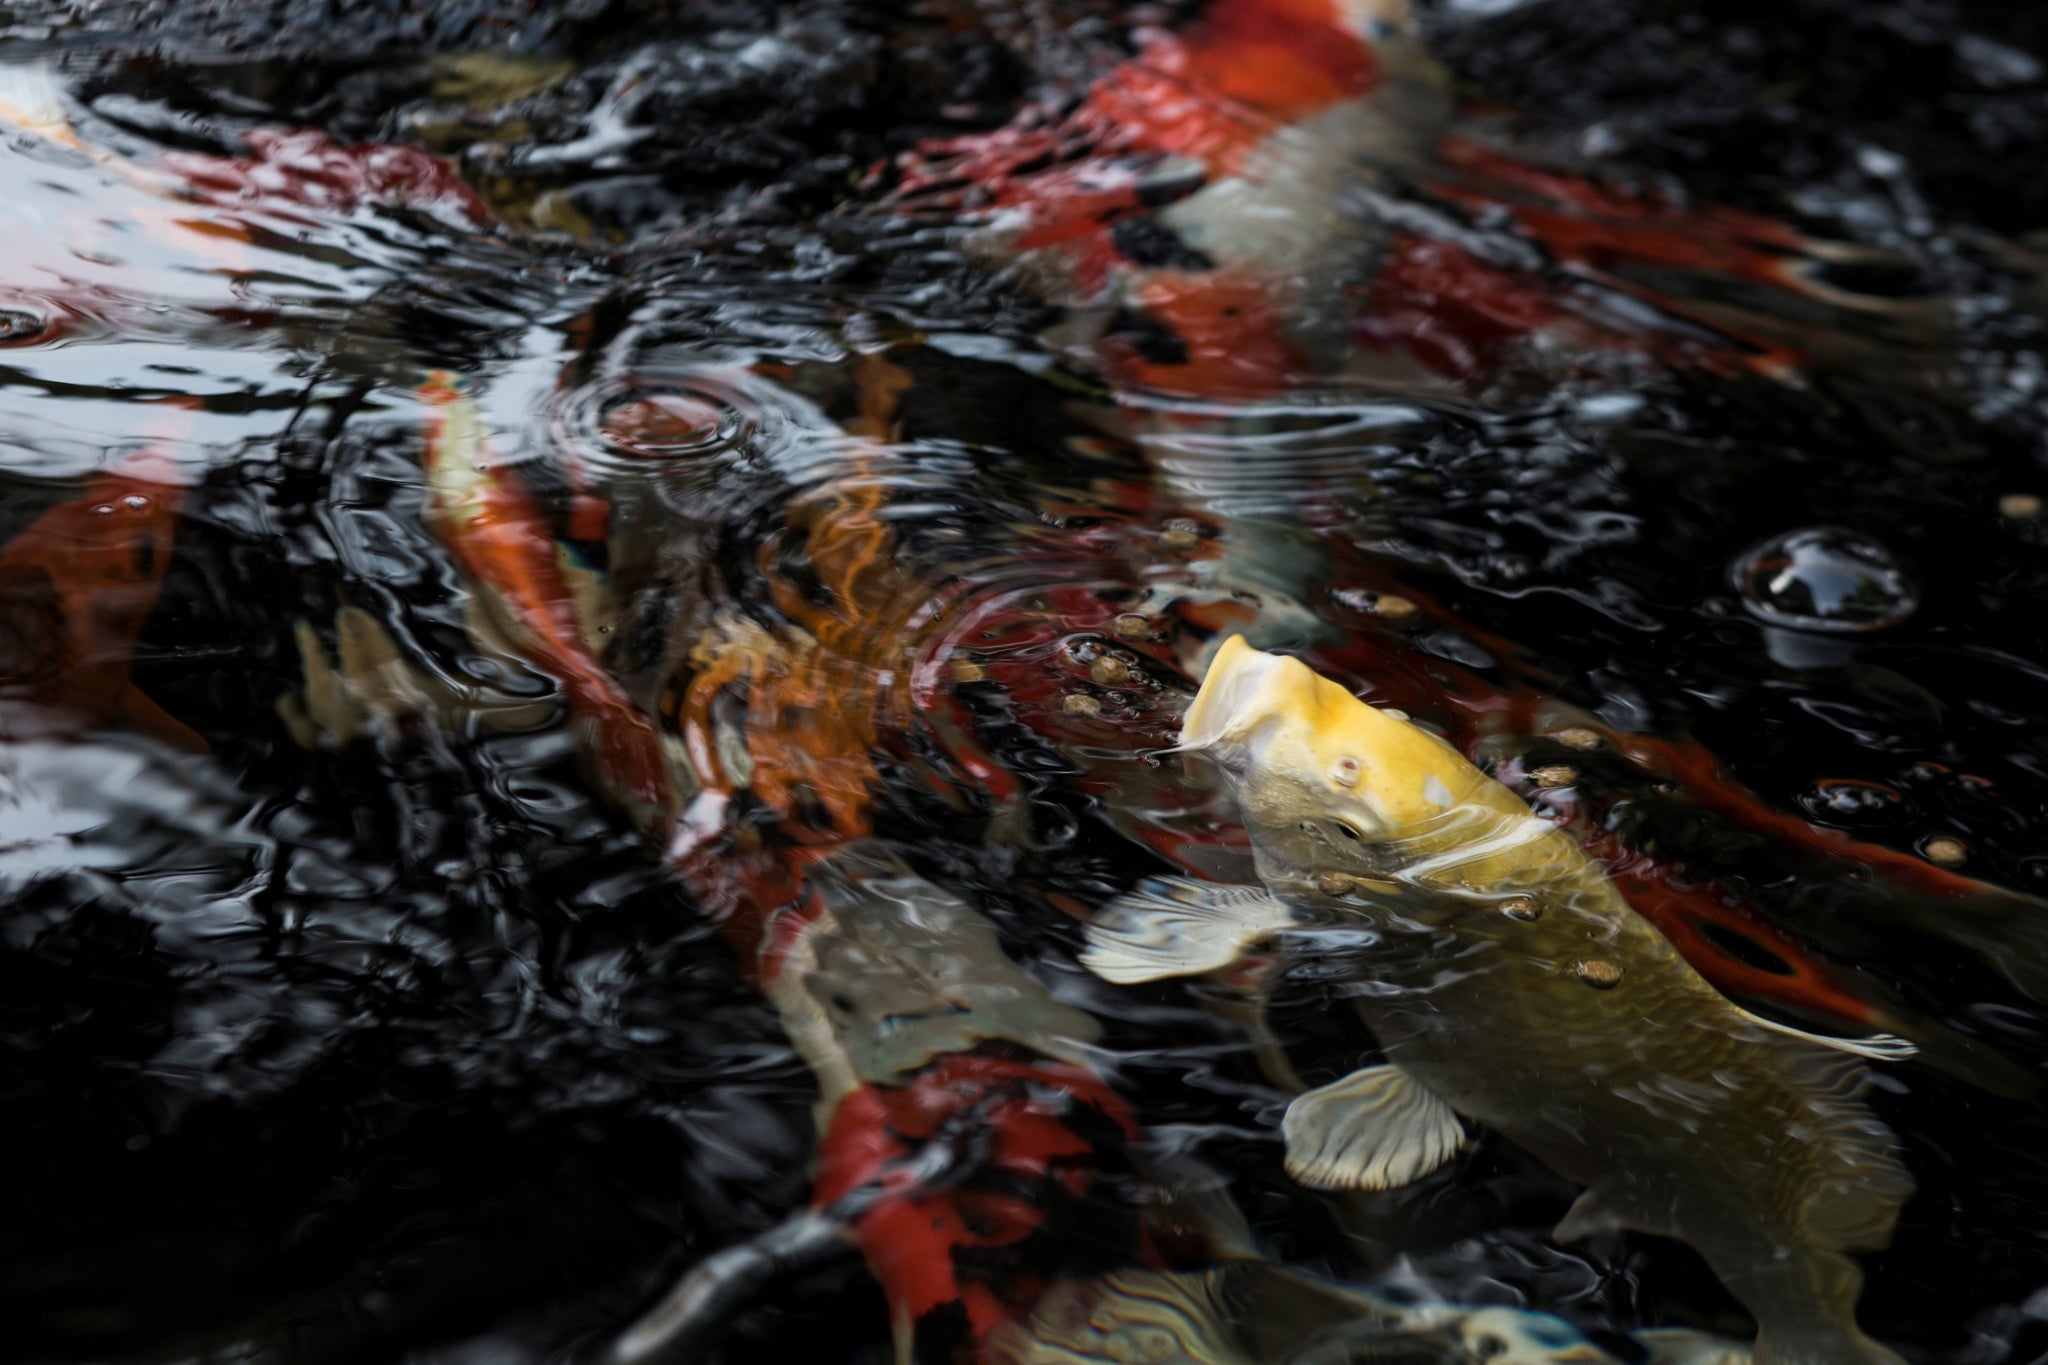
{"x":1134,"y":202}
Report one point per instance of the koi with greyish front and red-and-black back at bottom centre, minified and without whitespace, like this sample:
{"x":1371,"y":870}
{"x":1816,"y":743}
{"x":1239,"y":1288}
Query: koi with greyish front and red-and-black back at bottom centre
{"x":923,"y":1032}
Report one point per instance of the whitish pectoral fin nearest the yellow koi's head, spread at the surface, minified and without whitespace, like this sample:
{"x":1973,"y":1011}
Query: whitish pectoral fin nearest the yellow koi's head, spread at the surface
{"x":1179,"y":928}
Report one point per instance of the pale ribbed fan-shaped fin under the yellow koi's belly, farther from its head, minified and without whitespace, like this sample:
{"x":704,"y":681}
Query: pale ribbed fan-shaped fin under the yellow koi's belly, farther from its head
{"x":1377,"y":1129}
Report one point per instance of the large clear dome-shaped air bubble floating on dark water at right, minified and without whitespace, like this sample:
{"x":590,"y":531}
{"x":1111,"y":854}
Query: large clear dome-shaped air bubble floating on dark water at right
{"x":1826,"y":578}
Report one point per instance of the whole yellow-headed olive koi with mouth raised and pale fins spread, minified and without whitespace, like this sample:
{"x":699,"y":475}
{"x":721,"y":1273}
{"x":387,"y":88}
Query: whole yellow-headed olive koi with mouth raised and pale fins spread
{"x":1508,"y":983}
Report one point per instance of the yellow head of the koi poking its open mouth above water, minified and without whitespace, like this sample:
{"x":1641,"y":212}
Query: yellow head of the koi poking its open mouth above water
{"x":1326,"y":781}
